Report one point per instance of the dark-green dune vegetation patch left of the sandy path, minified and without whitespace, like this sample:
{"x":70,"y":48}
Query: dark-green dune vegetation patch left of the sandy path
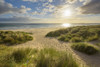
{"x":11,"y":38}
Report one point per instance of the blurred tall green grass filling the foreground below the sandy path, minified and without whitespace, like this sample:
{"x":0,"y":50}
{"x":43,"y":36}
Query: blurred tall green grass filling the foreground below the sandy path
{"x":26,"y":57}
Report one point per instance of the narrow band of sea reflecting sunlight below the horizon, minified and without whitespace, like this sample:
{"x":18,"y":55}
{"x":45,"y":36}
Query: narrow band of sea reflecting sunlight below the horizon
{"x":11,"y":26}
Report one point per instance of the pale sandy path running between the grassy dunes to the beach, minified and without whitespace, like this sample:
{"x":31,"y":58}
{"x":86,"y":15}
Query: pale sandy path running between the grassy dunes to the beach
{"x":41,"y":41}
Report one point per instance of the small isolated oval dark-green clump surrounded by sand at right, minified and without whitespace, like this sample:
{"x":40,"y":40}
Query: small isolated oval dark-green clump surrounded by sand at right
{"x":85,"y":48}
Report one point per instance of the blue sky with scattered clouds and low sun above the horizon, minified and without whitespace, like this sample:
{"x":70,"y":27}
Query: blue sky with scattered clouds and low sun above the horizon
{"x":50,"y":11}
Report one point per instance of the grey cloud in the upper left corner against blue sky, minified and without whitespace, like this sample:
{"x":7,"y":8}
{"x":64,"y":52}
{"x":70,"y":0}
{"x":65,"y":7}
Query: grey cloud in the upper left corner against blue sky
{"x":8,"y":8}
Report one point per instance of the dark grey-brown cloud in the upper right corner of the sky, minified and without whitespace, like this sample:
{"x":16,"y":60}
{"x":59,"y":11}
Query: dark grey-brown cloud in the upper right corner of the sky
{"x":93,"y":7}
